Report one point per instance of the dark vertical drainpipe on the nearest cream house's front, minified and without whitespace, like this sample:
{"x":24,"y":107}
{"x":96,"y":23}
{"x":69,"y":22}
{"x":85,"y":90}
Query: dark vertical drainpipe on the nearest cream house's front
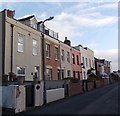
{"x":11,"y":68}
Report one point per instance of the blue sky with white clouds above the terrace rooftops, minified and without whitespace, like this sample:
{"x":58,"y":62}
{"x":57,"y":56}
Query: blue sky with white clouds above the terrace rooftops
{"x":91,"y":24}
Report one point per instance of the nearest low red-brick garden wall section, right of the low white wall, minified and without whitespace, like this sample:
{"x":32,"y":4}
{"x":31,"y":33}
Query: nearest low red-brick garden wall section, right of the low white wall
{"x":75,"y":88}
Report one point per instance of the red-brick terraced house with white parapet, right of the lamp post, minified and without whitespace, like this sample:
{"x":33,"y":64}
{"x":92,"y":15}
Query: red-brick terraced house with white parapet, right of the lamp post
{"x":52,"y":53}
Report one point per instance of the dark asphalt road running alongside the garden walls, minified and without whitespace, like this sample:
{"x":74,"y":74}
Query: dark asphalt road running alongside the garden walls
{"x":102,"y":100}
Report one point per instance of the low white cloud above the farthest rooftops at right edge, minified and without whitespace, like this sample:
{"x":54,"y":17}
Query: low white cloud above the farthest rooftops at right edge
{"x":110,"y":55}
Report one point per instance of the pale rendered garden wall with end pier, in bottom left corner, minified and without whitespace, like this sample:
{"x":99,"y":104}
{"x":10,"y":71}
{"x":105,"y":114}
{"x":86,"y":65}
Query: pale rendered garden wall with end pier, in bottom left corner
{"x":14,"y":97}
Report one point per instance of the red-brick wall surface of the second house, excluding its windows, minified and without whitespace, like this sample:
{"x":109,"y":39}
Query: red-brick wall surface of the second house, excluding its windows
{"x":52,"y":62}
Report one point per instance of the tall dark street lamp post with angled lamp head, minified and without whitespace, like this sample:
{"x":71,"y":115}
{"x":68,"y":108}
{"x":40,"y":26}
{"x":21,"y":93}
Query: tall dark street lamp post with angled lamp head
{"x":43,"y":57}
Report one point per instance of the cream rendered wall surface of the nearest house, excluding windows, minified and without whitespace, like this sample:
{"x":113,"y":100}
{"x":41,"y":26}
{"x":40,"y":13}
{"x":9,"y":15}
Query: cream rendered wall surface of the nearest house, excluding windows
{"x":25,"y":59}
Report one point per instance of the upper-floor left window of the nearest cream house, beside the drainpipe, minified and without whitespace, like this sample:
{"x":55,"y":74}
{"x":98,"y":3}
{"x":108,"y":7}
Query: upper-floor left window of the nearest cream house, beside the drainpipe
{"x":21,"y":42}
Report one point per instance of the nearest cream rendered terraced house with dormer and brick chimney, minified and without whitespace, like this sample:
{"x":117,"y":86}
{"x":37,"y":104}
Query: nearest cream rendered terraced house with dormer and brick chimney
{"x":20,"y":45}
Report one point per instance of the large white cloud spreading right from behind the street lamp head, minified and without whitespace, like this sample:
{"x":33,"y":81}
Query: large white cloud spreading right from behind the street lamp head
{"x":69,"y":24}
